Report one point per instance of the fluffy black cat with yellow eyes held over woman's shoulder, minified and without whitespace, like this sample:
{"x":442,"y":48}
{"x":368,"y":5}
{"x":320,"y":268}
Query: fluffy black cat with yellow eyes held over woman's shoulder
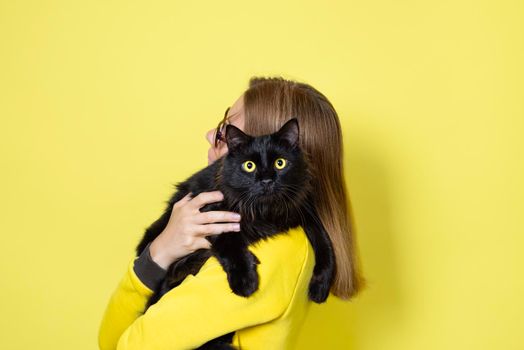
{"x":267,"y":180}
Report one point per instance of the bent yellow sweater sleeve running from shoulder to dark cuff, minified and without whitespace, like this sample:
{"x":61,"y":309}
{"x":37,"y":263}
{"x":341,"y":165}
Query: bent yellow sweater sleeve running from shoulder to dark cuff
{"x":201,"y":308}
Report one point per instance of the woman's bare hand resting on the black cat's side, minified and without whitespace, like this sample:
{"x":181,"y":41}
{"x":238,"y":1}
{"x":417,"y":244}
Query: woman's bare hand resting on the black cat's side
{"x":187,"y":228}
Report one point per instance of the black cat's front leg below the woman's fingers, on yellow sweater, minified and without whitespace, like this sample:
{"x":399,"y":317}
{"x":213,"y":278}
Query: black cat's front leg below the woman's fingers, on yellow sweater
{"x":238,"y":262}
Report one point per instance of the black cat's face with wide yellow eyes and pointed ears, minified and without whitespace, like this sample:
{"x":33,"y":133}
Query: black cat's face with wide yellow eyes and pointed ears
{"x":265,"y":168}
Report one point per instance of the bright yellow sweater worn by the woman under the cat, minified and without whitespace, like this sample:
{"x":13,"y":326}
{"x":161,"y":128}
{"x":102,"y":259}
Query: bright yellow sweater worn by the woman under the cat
{"x":203,"y":306}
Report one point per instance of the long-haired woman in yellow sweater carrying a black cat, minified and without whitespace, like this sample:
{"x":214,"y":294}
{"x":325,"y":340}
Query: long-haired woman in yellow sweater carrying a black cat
{"x":203,"y":307}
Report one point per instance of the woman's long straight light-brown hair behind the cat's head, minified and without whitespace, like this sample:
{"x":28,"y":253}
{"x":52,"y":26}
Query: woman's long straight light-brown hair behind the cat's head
{"x":268,"y":104}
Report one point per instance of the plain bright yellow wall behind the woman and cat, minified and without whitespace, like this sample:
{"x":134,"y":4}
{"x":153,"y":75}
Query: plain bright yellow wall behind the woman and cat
{"x":104,"y":105}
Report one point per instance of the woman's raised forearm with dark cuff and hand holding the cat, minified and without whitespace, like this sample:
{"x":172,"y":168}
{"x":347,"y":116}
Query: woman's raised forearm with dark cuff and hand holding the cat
{"x":183,"y":234}
